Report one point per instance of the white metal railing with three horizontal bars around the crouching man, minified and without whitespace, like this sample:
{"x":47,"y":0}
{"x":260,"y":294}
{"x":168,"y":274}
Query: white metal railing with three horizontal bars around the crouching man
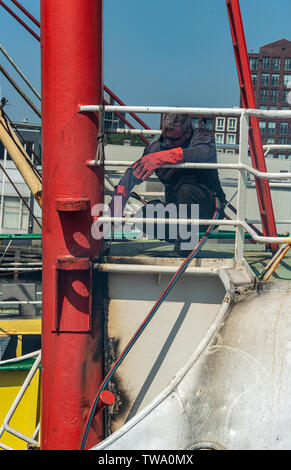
{"x":242,"y":166}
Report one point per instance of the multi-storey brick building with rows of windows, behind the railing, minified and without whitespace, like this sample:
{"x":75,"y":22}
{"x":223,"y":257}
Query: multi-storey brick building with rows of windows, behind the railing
{"x":271,"y":76}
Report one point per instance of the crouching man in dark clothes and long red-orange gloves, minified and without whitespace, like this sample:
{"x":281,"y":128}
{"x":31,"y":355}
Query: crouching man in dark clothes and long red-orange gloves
{"x":178,"y":143}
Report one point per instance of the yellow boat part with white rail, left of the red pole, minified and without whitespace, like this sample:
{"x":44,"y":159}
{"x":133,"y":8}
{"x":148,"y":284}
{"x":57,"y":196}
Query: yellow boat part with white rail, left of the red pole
{"x":19,"y":384}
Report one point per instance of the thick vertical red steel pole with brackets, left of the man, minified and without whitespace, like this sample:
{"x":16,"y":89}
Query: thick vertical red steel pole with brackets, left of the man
{"x":72,"y":74}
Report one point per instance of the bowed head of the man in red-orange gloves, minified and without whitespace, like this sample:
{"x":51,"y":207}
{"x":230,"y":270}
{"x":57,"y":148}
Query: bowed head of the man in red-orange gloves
{"x":177,"y":128}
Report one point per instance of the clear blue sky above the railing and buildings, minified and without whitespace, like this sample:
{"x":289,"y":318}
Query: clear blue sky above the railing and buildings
{"x":156,"y":52}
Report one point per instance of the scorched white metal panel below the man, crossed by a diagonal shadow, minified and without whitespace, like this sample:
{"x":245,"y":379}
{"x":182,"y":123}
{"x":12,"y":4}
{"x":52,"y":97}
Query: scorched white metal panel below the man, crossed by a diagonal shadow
{"x":172,"y":335}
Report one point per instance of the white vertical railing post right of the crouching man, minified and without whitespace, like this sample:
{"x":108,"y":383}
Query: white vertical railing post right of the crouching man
{"x":242,"y":187}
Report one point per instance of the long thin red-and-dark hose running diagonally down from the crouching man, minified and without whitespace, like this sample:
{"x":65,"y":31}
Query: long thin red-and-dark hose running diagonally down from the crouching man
{"x":142,"y":327}
